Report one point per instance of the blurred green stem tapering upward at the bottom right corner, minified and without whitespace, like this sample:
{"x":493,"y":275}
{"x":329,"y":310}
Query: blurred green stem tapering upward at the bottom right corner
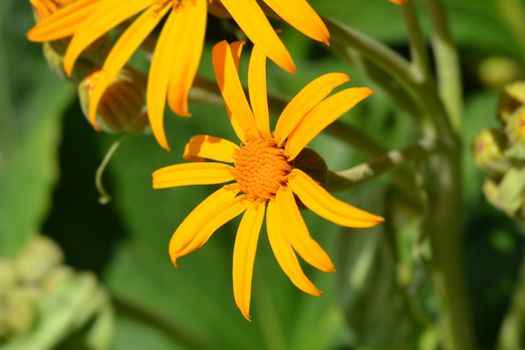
{"x":513,"y":326}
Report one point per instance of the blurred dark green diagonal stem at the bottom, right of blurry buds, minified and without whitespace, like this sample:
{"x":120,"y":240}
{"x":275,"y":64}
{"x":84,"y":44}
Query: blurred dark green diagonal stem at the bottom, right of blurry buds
{"x":178,"y":334}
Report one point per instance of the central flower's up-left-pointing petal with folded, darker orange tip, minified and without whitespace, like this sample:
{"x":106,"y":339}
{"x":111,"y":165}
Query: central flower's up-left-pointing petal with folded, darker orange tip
{"x":232,"y":91}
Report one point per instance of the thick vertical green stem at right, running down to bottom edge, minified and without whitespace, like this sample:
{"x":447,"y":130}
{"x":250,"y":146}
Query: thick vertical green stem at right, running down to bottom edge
{"x":444,"y":228}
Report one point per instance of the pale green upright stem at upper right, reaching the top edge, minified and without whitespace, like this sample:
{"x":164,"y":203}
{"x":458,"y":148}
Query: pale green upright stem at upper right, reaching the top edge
{"x":447,"y":63}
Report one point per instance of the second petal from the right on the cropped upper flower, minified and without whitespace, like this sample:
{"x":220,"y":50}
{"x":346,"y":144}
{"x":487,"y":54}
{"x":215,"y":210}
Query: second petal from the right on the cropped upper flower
{"x":258,"y":29}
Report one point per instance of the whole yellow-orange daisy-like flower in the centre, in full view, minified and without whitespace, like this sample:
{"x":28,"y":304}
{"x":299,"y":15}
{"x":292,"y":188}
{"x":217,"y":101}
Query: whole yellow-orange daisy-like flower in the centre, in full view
{"x":263,"y":174}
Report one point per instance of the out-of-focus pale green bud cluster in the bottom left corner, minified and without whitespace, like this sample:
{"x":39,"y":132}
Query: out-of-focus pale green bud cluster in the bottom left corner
{"x":37,"y":293}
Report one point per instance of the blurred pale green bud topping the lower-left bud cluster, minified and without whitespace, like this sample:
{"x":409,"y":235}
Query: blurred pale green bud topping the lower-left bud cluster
{"x":38,"y":259}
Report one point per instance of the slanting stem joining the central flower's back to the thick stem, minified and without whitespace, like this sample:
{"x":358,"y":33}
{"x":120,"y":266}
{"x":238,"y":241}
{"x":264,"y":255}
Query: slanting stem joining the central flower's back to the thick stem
{"x":365,"y":172}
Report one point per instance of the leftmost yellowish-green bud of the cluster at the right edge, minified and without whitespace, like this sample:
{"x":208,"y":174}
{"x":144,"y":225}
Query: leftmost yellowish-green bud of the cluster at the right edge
{"x":488,"y":151}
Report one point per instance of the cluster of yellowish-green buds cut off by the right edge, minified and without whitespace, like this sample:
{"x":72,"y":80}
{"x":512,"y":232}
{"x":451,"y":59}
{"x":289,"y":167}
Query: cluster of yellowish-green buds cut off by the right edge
{"x":500,"y":154}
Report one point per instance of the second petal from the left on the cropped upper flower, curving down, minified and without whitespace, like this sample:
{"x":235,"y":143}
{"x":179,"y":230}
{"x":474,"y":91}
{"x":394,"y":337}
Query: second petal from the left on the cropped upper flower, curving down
{"x":109,"y":14}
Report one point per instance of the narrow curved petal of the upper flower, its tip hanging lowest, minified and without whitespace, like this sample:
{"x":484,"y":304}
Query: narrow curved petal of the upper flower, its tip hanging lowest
{"x":159,"y":75}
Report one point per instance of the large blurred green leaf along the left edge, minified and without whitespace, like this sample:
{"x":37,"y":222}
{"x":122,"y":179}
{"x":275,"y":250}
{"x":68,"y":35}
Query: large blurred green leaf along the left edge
{"x":31,"y":103}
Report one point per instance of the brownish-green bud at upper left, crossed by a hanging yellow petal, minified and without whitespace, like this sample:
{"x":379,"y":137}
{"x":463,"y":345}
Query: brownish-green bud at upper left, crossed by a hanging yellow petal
{"x":122,"y":106}
